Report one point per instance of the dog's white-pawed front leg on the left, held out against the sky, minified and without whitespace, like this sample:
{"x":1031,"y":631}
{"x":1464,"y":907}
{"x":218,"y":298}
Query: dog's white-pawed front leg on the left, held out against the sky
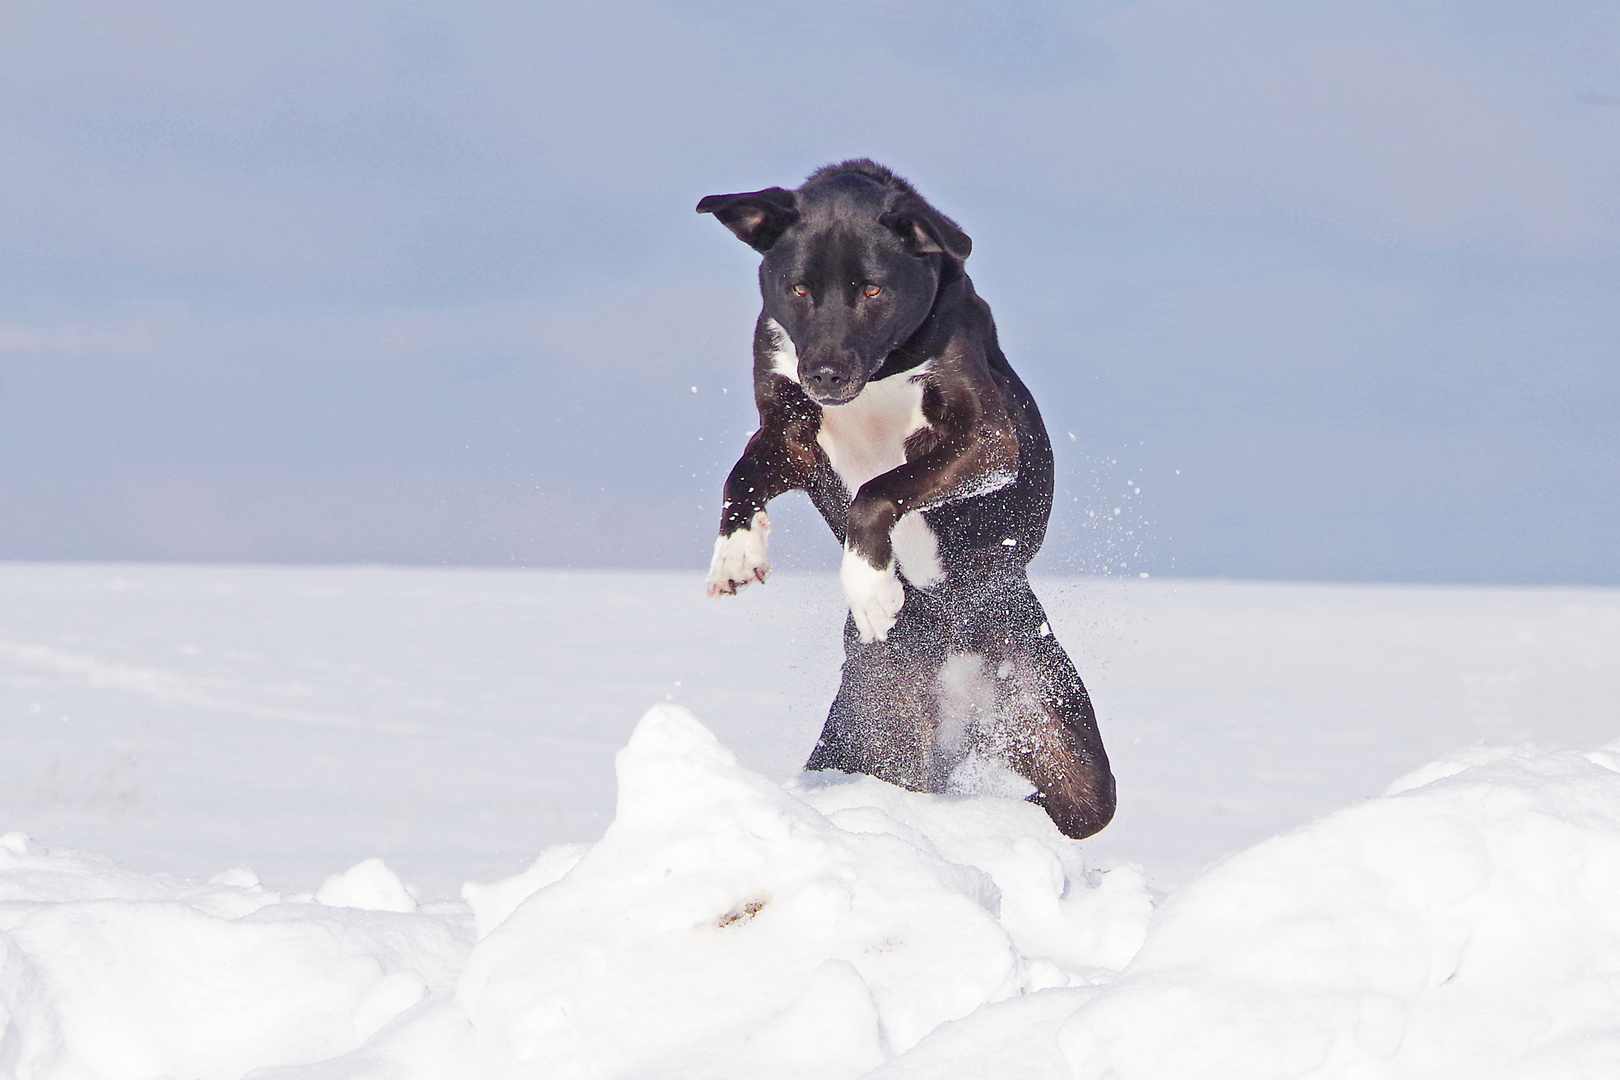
{"x":767,"y":469}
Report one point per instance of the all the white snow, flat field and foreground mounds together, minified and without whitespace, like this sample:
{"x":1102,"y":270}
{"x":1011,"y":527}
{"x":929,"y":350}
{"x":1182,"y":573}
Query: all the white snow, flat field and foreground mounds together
{"x":1365,"y":831}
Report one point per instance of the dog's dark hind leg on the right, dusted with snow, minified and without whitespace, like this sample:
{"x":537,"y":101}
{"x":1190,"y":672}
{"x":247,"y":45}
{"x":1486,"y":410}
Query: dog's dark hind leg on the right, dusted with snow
{"x":1044,"y":715}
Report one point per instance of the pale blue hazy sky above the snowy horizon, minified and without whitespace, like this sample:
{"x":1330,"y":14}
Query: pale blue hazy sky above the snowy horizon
{"x":1303,"y":291}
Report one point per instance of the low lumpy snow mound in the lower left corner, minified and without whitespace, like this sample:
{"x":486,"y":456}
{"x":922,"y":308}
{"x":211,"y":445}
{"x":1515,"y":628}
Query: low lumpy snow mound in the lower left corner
{"x":114,"y":976}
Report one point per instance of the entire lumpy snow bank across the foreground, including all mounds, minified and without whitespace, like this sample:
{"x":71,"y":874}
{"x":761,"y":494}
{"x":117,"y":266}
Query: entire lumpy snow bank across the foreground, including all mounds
{"x":728,"y":927}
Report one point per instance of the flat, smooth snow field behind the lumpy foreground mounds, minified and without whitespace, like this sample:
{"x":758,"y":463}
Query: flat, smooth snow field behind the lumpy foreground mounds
{"x":454,"y":723}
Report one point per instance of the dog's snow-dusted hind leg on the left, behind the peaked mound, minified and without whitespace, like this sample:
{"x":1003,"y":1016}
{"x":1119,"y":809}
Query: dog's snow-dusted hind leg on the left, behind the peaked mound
{"x":884,"y":718}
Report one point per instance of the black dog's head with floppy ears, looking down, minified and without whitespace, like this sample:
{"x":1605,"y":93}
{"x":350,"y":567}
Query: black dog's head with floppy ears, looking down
{"x":853,"y":261}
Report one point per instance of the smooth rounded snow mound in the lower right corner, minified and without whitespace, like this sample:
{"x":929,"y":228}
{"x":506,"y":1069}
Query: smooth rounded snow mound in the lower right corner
{"x":1467,"y":925}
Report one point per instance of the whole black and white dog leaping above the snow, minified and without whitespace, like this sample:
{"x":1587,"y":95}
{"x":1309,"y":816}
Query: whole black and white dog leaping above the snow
{"x":885,"y":396}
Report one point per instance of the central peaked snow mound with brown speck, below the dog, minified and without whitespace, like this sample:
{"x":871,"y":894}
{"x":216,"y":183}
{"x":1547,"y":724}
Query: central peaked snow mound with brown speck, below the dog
{"x":727,"y":927}
